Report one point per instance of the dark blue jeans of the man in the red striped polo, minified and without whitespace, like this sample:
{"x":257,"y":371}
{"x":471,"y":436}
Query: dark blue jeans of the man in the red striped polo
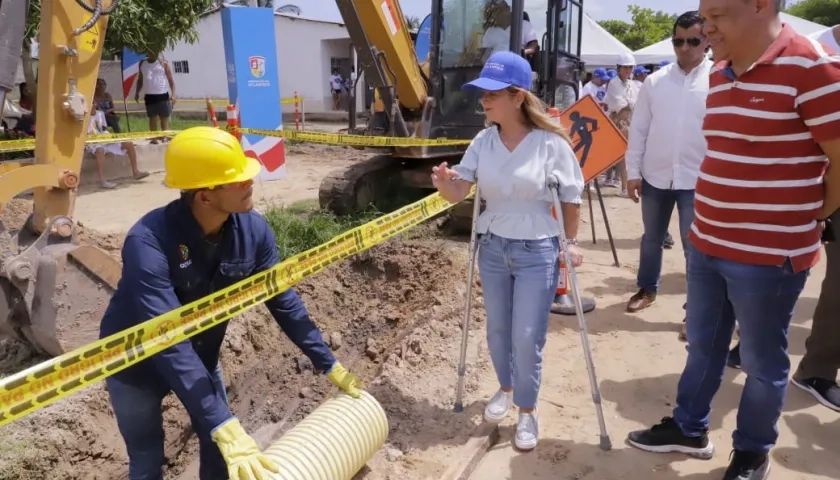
{"x":762,"y":298}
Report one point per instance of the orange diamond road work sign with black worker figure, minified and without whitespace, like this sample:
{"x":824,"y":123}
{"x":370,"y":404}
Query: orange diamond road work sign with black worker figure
{"x":596,"y":141}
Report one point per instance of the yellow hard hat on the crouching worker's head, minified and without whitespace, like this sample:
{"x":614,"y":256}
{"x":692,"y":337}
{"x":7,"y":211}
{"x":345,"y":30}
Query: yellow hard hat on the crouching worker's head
{"x":203,"y":157}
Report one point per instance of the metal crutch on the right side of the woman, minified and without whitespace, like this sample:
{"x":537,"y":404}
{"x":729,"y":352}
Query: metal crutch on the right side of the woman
{"x":606,"y":444}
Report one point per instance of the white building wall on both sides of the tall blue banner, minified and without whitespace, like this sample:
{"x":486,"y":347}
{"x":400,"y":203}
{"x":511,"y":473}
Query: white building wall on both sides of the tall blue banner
{"x":304,"y":48}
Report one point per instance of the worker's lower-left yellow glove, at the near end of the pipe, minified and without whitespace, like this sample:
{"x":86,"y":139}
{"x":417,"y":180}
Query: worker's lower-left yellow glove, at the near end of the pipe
{"x":241,"y":453}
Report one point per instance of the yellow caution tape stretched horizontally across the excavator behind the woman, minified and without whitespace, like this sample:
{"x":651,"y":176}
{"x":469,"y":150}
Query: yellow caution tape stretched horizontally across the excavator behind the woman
{"x":354,"y":140}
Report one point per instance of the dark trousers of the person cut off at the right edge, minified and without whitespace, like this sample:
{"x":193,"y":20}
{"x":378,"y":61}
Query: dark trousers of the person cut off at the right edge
{"x":822,"y":349}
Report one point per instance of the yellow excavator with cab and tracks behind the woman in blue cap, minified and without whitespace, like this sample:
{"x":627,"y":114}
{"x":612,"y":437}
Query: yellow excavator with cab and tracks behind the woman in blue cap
{"x":422,"y":98}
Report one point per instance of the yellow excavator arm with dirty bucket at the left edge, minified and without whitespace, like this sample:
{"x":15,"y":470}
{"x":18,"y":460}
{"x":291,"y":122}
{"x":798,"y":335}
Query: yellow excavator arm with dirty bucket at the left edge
{"x":54,"y":290}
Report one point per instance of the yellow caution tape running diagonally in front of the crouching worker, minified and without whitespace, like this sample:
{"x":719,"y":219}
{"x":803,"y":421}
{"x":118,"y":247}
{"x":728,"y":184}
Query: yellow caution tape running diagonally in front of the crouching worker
{"x":48,"y":382}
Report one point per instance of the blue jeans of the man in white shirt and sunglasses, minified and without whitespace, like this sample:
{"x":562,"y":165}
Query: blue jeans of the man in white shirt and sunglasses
{"x":657,"y":206}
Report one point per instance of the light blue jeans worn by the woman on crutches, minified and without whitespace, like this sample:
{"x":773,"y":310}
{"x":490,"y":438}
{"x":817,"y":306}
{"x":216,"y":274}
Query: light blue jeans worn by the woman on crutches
{"x":519,"y":279}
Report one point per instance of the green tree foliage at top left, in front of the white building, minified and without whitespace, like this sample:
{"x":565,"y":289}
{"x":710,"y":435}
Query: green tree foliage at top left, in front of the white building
{"x":142,"y":25}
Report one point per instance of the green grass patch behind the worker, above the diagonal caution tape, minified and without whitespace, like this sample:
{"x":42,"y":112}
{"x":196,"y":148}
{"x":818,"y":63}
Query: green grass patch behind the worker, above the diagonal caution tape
{"x":302,"y":225}
